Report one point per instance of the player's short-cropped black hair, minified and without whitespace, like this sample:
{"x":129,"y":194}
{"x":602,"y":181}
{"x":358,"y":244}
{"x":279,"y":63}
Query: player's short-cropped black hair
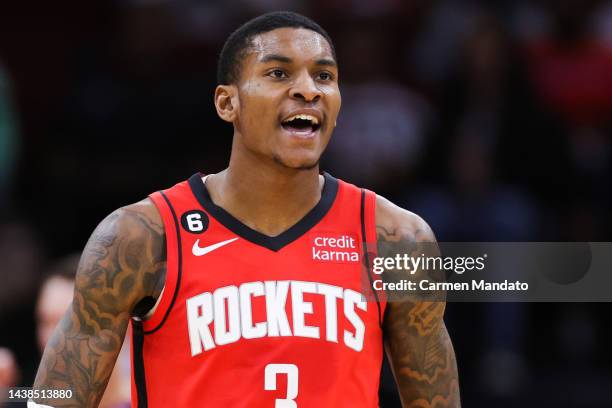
{"x":237,"y":44}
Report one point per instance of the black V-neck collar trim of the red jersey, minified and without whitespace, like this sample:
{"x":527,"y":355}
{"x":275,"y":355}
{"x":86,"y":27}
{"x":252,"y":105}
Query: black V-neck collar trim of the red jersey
{"x":328,"y":196}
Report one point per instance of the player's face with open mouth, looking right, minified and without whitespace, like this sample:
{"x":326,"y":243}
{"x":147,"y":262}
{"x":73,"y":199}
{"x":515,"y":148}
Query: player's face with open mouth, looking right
{"x":288,"y":97}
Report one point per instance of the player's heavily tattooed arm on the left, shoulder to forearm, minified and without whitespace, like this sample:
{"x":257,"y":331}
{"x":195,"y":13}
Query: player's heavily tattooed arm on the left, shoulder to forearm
{"x":122,"y":264}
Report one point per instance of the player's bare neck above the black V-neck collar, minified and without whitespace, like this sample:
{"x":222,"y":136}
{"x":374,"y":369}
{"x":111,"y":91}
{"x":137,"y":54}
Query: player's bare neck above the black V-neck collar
{"x":266,"y":196}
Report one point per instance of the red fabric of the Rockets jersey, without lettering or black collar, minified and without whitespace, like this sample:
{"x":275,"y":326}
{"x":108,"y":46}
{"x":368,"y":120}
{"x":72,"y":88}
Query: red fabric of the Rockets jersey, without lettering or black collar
{"x":330,"y":374}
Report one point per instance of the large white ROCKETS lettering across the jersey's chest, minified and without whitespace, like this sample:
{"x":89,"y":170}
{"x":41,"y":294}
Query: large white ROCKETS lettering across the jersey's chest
{"x":230,"y":310}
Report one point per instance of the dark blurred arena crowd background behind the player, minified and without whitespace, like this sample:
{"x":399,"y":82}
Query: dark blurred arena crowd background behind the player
{"x":492,"y":120}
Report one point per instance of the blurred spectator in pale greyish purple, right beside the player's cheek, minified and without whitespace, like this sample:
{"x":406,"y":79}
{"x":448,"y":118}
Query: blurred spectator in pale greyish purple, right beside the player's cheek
{"x":385,"y":138}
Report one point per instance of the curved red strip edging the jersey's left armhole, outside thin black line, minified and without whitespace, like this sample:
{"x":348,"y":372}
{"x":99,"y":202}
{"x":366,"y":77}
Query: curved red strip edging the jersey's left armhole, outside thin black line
{"x":173,"y":264}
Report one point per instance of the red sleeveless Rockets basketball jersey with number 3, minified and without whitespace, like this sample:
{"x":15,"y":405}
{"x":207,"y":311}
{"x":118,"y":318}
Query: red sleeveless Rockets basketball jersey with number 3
{"x":248,"y":320}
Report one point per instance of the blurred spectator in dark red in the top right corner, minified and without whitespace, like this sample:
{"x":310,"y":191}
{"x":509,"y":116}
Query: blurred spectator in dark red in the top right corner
{"x":572,"y":68}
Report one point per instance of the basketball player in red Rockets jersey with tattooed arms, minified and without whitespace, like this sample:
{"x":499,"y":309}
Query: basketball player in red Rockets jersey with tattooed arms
{"x":244,"y":287}
